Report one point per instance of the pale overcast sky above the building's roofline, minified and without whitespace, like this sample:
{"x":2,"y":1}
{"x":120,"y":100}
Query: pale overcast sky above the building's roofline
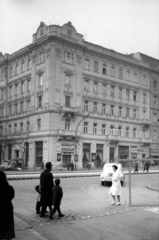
{"x":126,"y":26}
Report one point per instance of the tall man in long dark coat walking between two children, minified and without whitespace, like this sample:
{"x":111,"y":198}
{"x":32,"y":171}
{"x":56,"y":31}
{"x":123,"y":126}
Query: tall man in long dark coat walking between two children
{"x":46,"y":183}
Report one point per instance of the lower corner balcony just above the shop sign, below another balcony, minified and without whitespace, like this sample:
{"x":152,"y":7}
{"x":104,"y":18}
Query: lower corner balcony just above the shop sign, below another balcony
{"x":68,"y":134}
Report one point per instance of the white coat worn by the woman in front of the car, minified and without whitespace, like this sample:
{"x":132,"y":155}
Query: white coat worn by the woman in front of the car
{"x":116,"y":185}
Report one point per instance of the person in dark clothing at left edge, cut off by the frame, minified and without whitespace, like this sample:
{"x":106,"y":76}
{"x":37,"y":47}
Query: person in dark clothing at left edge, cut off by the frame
{"x":6,"y":209}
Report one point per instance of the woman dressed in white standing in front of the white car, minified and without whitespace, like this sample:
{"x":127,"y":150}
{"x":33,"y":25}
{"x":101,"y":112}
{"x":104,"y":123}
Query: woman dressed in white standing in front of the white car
{"x":115,"y":189}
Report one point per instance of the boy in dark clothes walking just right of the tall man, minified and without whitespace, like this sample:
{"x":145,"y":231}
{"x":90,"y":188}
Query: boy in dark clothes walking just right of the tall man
{"x":57,"y":195}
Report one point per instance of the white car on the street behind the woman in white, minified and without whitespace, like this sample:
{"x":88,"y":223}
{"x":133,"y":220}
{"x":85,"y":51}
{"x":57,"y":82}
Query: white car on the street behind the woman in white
{"x":107,"y":173}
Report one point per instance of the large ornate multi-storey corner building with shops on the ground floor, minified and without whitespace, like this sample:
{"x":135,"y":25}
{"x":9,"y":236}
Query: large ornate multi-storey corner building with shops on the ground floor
{"x":54,"y":82}
